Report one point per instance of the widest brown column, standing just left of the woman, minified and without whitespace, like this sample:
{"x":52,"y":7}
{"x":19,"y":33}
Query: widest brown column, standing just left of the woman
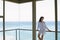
{"x":34,"y":20}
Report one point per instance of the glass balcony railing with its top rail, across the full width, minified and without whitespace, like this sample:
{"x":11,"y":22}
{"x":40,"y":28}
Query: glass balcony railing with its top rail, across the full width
{"x":26,"y":34}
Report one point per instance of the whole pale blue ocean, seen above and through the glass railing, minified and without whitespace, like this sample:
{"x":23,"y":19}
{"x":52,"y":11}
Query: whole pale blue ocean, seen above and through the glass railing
{"x":24,"y":34}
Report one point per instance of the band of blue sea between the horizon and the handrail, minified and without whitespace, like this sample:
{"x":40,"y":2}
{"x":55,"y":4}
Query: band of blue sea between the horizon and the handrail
{"x":27,"y":25}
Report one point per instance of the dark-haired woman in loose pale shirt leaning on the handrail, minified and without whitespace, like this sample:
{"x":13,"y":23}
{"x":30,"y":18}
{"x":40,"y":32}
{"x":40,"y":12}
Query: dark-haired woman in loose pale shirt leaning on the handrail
{"x":41,"y":28}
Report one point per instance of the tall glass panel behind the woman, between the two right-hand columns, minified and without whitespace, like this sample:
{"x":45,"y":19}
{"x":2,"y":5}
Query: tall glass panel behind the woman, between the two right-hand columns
{"x":46,"y":9}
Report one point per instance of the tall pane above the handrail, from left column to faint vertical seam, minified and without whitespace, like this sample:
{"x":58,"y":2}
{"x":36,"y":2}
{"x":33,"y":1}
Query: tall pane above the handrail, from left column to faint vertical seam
{"x":11,"y":15}
